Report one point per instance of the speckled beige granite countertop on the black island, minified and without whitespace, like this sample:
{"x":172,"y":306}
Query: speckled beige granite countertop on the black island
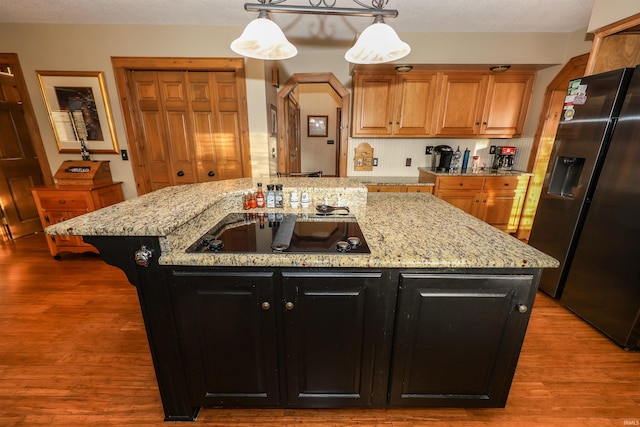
{"x":403,"y":230}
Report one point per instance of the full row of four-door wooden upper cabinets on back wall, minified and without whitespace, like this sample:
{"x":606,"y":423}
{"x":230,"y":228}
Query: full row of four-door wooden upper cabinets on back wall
{"x":441,"y":104}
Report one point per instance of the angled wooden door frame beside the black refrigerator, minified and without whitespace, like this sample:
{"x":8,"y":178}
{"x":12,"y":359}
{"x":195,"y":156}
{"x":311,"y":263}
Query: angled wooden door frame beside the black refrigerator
{"x":545,"y":137}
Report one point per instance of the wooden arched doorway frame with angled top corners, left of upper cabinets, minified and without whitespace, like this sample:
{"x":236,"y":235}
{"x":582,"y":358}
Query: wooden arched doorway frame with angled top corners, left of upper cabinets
{"x":283,"y":132}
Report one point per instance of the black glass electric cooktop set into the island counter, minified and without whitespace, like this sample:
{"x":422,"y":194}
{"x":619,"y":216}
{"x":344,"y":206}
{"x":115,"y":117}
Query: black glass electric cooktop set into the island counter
{"x":263,"y":233}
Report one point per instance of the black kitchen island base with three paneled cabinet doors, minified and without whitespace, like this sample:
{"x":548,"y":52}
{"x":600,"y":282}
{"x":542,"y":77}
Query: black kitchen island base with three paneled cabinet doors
{"x":327,"y":338}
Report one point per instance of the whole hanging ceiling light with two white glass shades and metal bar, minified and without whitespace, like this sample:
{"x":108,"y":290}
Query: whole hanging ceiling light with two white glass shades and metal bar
{"x":378,"y":43}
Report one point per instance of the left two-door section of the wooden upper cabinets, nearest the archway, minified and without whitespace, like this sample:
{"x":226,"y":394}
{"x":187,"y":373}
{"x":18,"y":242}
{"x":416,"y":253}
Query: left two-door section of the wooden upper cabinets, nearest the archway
{"x":392,"y":104}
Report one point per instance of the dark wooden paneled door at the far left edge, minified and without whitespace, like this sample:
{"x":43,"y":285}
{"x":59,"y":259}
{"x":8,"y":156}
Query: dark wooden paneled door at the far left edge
{"x":19,"y":165}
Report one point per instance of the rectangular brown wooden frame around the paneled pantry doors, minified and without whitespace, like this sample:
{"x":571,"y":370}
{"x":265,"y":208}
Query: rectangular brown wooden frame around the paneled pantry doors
{"x":123,"y":65}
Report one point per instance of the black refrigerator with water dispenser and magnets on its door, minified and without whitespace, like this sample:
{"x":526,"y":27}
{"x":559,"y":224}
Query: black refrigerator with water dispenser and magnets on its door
{"x":589,"y":211}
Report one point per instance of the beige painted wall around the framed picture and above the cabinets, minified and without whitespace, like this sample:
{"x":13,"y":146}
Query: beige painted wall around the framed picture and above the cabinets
{"x":90,"y":48}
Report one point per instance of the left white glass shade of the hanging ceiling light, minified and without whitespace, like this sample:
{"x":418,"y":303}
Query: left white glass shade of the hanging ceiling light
{"x":263,"y":39}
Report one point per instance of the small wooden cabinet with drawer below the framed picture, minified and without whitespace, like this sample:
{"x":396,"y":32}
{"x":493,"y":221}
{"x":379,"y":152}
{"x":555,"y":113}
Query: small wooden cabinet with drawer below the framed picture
{"x":57,"y":203}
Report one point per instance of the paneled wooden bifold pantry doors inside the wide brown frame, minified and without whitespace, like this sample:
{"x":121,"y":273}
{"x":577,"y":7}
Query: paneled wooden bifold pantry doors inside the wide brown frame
{"x":188,"y":125}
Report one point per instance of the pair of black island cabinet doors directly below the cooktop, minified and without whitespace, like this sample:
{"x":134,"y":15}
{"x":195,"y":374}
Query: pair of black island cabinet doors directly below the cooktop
{"x":231,"y":323}
